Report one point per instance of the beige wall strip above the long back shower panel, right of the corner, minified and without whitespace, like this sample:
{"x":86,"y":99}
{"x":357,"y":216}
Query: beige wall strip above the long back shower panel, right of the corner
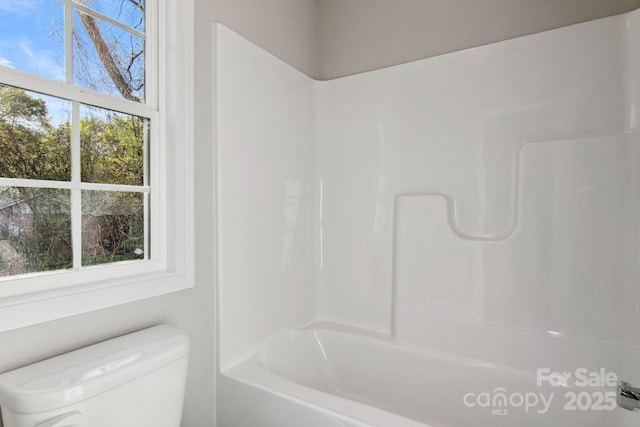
{"x":363,"y":35}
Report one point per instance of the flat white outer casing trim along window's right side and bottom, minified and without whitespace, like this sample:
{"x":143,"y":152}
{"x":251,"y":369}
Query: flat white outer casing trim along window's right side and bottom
{"x":176,"y":76}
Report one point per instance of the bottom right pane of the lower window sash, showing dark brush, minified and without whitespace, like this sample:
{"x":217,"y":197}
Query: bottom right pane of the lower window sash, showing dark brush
{"x":112,"y":227}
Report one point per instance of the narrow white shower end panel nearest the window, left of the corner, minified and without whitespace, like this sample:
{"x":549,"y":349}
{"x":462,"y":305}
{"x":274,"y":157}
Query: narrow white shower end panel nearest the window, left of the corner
{"x":264,"y":125}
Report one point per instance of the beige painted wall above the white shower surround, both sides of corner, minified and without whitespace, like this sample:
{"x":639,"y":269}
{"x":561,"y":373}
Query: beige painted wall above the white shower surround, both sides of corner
{"x":326,"y":39}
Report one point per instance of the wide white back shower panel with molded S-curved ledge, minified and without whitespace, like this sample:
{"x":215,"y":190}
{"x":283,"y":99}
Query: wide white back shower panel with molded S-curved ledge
{"x":450,"y":130}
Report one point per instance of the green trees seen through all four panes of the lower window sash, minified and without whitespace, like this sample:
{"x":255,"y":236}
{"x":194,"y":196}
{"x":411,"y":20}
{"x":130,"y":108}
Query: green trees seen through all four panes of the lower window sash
{"x":31,"y":147}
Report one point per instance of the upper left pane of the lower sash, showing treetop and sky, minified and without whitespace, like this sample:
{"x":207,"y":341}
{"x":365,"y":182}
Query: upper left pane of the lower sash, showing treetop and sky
{"x":34,"y":136}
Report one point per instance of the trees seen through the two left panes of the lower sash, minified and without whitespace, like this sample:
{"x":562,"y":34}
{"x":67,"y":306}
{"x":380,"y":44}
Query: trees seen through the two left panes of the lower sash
{"x":32,"y":148}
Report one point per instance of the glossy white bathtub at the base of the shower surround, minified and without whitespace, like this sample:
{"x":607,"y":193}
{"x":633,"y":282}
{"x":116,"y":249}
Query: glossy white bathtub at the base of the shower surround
{"x":365,"y":380}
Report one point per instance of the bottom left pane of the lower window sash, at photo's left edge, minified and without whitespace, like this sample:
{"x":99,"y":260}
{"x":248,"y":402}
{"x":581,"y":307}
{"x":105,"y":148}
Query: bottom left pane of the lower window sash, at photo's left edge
{"x":35,"y":230}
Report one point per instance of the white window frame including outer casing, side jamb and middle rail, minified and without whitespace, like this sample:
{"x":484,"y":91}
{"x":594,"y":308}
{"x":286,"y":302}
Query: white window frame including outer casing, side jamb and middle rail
{"x":54,"y":295}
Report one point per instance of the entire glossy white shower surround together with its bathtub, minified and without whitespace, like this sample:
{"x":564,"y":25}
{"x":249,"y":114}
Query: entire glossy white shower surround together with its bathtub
{"x":396,"y":243}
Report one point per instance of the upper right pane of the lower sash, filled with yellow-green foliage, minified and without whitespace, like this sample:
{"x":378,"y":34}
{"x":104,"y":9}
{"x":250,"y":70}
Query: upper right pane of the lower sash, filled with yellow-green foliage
{"x":112,"y":149}
